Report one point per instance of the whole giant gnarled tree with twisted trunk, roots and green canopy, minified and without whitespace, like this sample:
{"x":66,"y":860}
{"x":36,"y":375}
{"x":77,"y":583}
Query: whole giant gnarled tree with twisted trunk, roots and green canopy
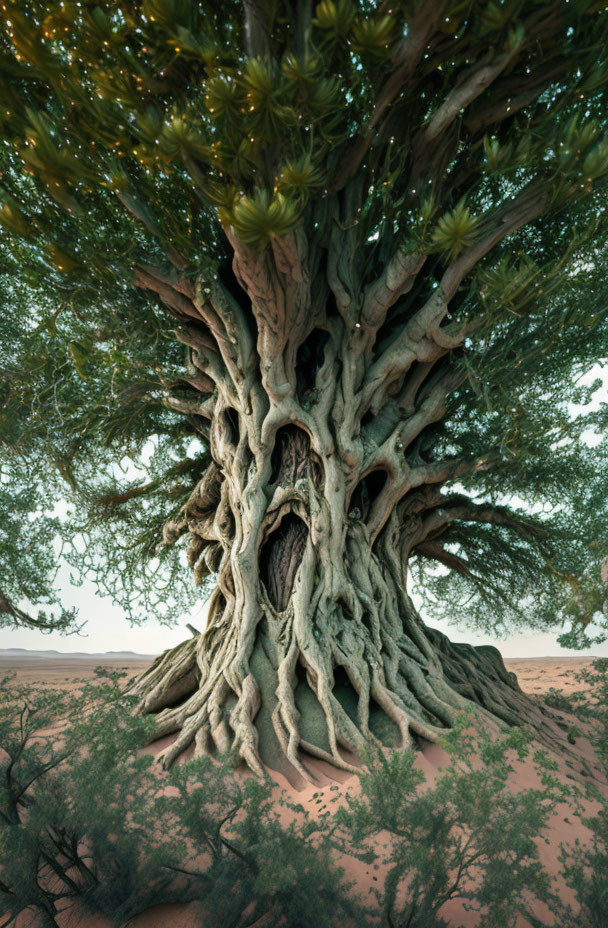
{"x":333,"y":272}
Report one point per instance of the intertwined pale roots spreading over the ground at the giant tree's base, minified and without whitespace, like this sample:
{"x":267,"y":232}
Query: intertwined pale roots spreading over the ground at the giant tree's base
{"x":326,"y":689}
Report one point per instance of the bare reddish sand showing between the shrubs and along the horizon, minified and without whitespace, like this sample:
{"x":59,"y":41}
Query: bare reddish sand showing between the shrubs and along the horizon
{"x":536,"y":676}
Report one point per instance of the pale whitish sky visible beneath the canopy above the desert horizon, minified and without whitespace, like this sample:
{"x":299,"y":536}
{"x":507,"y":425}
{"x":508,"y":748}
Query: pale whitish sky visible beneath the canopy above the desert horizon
{"x":107,"y":630}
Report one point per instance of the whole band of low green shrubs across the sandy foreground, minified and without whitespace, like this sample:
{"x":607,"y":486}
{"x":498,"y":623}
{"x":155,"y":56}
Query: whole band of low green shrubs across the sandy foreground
{"x":85,"y":821}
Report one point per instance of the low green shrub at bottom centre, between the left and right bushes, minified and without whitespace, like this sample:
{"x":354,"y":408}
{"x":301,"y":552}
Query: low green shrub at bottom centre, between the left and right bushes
{"x":283,"y":872}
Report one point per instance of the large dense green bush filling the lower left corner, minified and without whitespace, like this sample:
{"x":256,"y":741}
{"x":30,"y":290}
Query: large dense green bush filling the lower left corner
{"x":75,"y":807}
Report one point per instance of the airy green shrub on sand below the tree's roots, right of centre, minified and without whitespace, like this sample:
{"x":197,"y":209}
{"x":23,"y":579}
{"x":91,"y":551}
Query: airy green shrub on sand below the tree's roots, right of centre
{"x":468,"y":837}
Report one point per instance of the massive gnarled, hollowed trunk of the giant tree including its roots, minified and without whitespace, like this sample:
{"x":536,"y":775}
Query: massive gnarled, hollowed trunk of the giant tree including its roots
{"x":316,"y":496}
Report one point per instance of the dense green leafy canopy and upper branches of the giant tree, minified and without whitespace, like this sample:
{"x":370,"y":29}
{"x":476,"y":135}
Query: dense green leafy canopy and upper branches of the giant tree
{"x":454,"y":149}
